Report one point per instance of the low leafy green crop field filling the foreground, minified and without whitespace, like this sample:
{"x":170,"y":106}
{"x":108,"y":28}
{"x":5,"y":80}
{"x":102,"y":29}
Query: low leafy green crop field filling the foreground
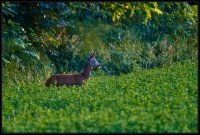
{"x":161,"y":100}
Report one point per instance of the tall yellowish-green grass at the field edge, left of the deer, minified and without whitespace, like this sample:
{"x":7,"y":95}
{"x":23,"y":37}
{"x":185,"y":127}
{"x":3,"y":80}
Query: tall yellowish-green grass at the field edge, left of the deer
{"x":18,"y":73}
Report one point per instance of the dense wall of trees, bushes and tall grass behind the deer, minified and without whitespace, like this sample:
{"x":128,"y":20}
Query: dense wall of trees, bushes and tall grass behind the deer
{"x":41,"y":38}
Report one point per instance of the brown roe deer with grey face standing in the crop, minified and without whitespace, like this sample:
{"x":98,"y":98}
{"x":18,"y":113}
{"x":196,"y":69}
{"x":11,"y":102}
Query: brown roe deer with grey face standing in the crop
{"x":74,"y":79}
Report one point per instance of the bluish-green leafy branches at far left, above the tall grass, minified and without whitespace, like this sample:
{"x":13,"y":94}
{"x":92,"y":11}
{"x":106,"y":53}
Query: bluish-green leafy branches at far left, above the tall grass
{"x":17,"y":49}
